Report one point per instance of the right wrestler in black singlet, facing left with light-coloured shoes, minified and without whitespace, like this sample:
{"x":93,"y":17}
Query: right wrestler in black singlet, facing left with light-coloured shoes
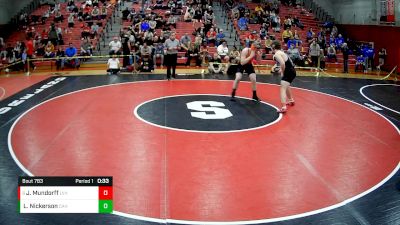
{"x":288,"y":73}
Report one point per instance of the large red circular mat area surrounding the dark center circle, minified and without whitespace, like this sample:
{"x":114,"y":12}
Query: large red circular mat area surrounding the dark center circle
{"x":324,"y":151}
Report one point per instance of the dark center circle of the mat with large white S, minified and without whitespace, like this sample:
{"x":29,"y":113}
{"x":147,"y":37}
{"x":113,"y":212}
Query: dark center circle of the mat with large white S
{"x":207,"y":113}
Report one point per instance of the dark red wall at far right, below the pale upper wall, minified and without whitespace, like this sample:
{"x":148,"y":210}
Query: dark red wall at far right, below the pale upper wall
{"x":382,"y":36}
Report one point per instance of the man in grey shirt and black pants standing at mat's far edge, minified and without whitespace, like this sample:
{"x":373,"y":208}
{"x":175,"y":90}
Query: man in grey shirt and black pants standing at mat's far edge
{"x":171,"y":56}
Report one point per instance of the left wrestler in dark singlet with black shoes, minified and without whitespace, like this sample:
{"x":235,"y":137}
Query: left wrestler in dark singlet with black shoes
{"x":246,"y":64}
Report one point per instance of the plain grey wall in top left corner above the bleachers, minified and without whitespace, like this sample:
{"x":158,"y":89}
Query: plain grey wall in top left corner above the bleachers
{"x":9,"y":8}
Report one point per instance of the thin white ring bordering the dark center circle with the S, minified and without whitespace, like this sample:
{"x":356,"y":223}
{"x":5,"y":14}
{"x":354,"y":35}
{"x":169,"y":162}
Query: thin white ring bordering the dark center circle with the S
{"x":201,"y":131}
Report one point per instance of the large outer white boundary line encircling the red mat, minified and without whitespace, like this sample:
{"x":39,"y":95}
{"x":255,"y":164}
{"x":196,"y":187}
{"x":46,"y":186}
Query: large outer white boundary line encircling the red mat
{"x":165,"y":221}
